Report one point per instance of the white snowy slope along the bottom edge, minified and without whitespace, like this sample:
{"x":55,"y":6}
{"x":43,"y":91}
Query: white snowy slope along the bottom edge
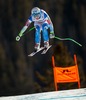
{"x":77,"y":94}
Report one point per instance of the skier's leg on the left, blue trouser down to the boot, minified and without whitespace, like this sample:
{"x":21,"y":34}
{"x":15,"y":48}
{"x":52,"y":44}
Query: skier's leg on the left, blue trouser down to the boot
{"x":37,"y":37}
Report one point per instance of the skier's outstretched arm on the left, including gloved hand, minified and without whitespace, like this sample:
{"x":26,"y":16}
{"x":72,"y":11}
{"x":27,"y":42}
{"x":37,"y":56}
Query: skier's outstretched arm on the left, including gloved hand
{"x":24,"y":29}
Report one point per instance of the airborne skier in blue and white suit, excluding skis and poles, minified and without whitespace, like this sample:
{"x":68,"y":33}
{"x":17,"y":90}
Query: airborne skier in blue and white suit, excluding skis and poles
{"x":42,"y":22}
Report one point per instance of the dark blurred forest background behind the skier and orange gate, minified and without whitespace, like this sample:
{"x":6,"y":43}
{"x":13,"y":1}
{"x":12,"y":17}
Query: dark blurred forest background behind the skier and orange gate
{"x":20,"y":74}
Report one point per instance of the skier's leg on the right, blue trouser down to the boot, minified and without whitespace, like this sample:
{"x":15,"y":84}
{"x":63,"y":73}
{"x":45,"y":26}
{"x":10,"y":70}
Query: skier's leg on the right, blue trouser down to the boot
{"x":45,"y":35}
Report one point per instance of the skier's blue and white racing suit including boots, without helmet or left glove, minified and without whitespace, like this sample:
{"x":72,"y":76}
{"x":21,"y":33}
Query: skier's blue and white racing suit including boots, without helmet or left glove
{"x":41,"y":24}
